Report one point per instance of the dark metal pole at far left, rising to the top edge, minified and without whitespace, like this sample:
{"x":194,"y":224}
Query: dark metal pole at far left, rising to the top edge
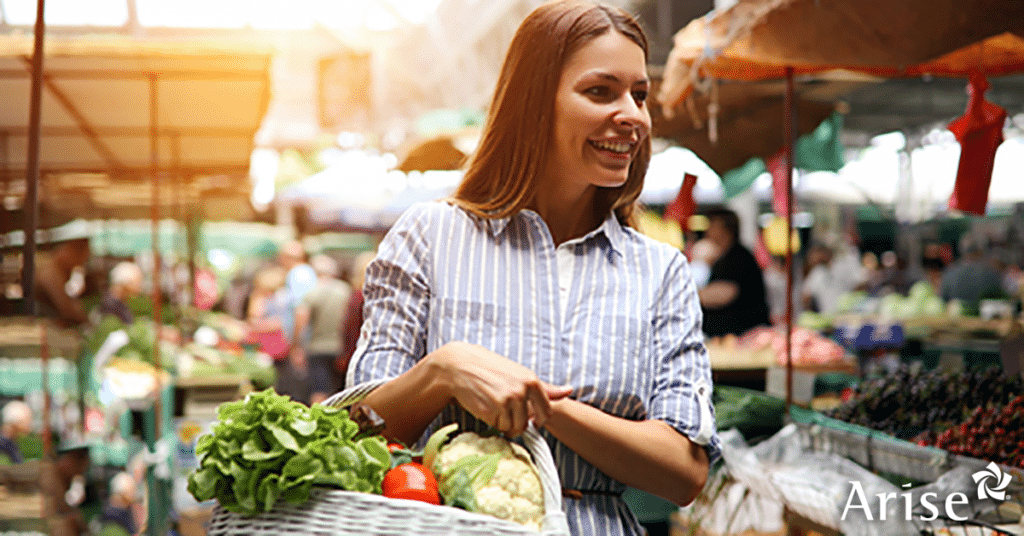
{"x":31,"y":210}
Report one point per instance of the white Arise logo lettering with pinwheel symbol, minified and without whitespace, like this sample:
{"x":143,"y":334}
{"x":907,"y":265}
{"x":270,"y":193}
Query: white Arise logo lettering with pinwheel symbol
{"x":992,"y":482}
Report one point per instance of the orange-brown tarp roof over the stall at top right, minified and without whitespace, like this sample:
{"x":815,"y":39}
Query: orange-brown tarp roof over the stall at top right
{"x":757,"y":40}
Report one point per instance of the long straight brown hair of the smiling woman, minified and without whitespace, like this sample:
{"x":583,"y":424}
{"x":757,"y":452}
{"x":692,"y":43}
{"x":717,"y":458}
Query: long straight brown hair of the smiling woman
{"x":502,"y":176}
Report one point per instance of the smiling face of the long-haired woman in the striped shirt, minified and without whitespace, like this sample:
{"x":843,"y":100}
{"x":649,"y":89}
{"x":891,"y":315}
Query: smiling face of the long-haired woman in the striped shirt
{"x":601,"y":114}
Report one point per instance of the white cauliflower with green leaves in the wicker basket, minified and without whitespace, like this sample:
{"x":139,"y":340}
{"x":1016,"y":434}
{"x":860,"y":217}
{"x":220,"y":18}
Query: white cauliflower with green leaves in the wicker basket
{"x":488,"y":475}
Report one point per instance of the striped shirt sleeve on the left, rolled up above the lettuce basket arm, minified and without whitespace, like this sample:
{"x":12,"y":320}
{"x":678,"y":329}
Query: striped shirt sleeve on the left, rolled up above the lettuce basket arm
{"x":397,"y":295}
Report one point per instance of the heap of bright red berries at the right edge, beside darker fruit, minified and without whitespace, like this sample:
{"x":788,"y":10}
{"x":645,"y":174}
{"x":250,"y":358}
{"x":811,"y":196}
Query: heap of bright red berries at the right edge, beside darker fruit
{"x":994,"y":433}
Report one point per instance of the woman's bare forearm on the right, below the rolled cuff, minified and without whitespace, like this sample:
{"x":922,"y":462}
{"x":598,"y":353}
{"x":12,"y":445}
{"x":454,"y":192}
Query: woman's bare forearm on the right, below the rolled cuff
{"x":649,"y":456}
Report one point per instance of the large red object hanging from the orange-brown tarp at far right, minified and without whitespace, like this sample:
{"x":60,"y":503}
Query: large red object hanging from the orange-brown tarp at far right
{"x":979,"y":132}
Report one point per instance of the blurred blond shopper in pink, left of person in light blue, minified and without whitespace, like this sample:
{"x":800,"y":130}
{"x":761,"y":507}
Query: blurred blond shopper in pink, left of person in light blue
{"x":267,"y":316}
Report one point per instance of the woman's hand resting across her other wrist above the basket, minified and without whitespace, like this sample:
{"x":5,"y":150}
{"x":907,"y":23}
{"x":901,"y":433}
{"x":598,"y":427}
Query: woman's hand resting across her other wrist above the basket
{"x":497,"y":390}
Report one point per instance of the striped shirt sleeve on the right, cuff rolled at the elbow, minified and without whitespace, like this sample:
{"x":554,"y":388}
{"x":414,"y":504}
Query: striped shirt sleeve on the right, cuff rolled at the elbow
{"x":682,"y":392}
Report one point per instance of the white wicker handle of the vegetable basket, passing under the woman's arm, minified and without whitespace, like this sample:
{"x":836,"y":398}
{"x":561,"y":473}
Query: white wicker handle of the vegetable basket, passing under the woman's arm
{"x":556,"y":522}
